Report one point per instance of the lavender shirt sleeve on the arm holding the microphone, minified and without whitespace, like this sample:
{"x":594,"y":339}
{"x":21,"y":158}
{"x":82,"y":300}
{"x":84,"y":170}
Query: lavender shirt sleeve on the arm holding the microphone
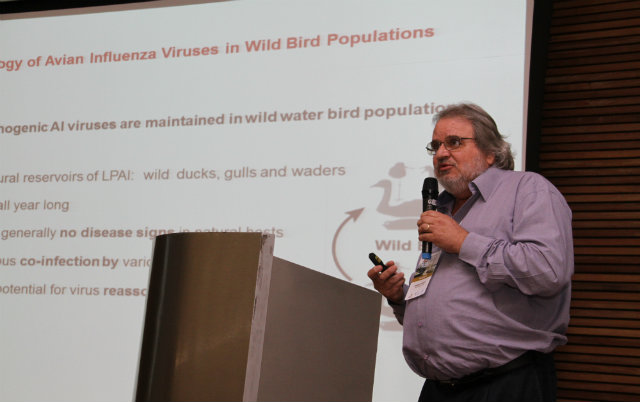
{"x":535,"y":254}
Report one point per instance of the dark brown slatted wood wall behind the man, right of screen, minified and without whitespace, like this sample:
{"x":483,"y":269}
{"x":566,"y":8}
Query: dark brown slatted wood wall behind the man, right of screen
{"x":590,"y":149}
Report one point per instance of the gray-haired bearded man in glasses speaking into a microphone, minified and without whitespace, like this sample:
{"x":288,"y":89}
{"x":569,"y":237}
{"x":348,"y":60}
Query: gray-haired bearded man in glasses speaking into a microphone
{"x":497,"y":304}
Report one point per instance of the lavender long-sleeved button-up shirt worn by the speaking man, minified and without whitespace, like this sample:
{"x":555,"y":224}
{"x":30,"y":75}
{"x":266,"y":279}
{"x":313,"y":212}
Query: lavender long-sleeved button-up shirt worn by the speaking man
{"x":509,"y":289}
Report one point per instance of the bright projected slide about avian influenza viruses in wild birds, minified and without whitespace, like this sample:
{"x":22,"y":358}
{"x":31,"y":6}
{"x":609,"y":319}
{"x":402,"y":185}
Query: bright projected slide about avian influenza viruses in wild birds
{"x":304,"y":119}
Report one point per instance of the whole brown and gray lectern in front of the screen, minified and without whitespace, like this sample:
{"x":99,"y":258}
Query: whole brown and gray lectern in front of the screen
{"x":227,"y":321}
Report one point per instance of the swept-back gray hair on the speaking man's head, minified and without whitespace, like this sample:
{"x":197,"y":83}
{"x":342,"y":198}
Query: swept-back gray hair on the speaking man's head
{"x":488,"y":138}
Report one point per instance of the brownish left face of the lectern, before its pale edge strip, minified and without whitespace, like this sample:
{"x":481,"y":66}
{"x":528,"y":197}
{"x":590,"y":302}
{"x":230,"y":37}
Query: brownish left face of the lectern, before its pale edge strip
{"x":199,"y":314}
